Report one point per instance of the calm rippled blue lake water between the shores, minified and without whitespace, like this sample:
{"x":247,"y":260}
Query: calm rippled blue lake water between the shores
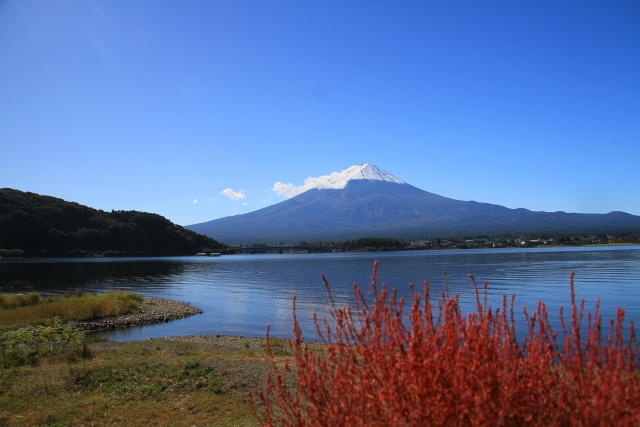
{"x":242,"y":294}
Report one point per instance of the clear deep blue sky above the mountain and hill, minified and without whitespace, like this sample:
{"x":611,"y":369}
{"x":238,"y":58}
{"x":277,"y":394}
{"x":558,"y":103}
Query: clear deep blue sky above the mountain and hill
{"x":154,"y":105}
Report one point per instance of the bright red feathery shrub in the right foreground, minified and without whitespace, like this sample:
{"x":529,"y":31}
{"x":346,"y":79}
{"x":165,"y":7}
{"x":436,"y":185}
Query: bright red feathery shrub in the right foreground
{"x":443,"y":367}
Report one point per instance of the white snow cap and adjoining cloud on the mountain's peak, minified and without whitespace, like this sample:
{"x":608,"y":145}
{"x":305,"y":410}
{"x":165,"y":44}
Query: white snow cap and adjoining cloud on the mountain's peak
{"x":336,"y":180}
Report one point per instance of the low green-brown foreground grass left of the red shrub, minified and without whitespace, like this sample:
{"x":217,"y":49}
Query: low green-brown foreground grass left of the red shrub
{"x":179,"y":381}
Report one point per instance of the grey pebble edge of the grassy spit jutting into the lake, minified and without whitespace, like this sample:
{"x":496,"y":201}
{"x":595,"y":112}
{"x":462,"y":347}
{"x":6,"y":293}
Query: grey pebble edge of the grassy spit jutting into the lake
{"x":152,"y":310}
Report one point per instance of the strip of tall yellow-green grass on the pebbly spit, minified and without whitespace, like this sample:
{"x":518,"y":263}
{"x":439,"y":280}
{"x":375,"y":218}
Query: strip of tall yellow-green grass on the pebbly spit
{"x":33,"y":308}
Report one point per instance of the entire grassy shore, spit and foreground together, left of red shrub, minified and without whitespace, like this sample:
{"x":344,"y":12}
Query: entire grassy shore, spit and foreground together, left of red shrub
{"x":51,"y":375}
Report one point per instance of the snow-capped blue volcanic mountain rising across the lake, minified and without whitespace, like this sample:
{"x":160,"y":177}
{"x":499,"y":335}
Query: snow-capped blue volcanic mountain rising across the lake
{"x":365,"y":201}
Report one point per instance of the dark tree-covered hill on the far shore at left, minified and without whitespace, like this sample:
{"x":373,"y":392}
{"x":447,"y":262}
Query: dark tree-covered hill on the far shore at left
{"x":35,"y":225}
